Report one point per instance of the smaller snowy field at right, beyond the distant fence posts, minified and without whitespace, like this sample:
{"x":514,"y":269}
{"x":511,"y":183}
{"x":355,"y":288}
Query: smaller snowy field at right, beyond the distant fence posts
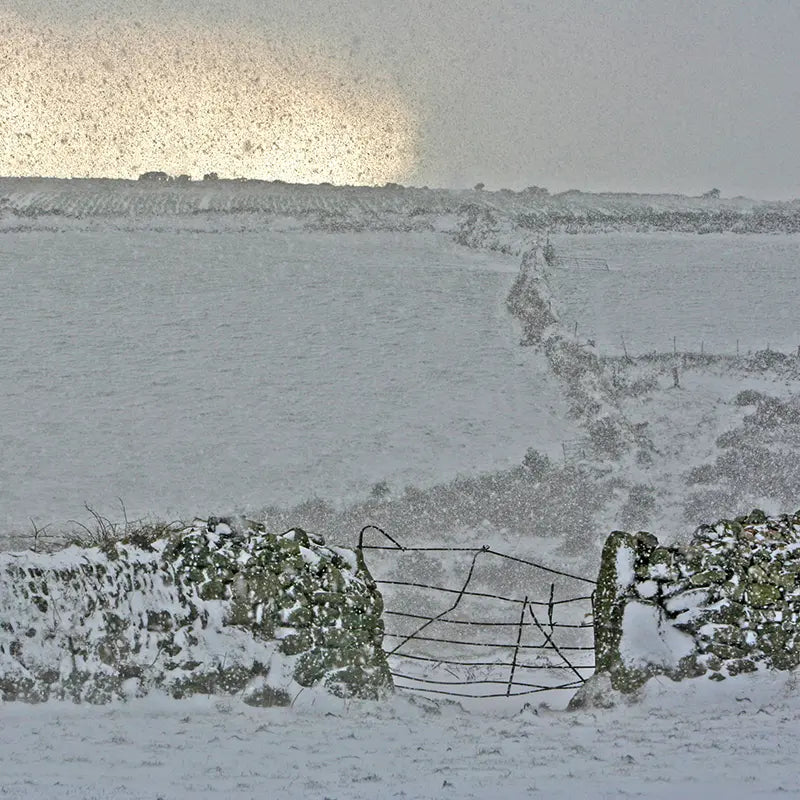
{"x":702,"y":291}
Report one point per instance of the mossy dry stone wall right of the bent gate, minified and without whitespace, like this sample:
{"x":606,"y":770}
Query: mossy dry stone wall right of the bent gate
{"x":734,"y":589}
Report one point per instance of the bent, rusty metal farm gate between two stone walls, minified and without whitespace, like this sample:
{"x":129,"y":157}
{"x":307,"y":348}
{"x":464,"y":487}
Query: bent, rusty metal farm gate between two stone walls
{"x":474,"y":622}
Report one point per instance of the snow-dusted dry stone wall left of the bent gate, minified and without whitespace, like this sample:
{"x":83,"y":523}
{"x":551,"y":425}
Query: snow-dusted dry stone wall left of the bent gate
{"x":211,"y":608}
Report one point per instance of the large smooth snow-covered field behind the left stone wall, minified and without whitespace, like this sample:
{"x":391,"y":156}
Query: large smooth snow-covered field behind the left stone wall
{"x":188,"y":373}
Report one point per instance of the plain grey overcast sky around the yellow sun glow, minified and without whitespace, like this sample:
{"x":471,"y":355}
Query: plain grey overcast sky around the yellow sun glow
{"x":639,"y":95}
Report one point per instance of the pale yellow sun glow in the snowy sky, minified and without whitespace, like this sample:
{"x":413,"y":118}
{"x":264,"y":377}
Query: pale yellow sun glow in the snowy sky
{"x":116,"y":101}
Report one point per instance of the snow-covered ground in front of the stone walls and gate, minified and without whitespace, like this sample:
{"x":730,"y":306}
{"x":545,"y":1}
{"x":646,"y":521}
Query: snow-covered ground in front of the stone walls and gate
{"x":697,"y":739}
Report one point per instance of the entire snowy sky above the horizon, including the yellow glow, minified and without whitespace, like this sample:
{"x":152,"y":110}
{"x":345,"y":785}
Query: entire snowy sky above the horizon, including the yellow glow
{"x":623,"y":95}
